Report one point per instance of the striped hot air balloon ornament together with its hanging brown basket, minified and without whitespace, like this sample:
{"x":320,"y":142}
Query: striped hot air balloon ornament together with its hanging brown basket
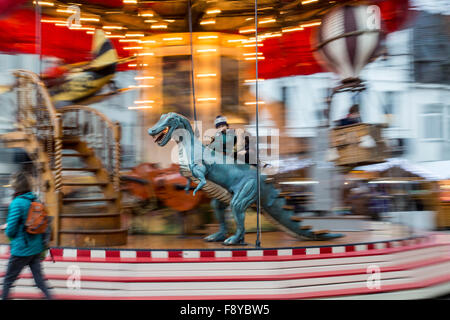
{"x":350,"y":37}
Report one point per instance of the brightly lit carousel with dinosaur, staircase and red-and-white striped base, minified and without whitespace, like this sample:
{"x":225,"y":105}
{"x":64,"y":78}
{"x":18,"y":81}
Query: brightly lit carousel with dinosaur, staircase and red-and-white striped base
{"x":176,"y":226}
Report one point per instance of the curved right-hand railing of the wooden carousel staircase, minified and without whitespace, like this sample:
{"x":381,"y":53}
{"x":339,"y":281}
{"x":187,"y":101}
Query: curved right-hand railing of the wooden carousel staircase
{"x":100,"y":133}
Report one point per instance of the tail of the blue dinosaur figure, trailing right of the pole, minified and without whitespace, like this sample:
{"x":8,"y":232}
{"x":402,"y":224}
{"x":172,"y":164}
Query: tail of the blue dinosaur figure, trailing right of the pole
{"x":283,"y":216}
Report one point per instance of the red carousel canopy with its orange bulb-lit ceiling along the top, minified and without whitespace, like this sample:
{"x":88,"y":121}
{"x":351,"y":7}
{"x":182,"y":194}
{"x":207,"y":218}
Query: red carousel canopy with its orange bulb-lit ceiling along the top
{"x":286,"y":27}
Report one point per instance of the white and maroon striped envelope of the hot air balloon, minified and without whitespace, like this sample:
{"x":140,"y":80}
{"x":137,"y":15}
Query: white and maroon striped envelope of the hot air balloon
{"x":349,"y":38}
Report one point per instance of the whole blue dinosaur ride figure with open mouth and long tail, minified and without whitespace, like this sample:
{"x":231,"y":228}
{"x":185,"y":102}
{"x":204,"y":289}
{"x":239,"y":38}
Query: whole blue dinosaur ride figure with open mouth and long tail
{"x":228,"y":183}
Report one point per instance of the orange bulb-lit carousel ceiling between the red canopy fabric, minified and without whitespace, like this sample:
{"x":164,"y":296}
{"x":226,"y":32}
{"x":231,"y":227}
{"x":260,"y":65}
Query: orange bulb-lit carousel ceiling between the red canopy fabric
{"x":227,"y":15}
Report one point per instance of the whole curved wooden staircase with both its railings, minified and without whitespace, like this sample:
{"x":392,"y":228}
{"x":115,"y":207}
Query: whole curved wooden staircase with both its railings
{"x":76,"y":156}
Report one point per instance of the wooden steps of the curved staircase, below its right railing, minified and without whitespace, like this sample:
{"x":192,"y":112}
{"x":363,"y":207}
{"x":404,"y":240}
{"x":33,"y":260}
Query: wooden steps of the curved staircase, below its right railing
{"x":85,"y":185}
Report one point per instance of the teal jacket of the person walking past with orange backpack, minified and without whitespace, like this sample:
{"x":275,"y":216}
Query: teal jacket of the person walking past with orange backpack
{"x":22,"y":243}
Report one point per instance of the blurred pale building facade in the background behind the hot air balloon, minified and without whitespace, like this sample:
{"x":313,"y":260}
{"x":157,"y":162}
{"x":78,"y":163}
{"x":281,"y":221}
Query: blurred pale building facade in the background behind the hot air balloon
{"x":409,"y":89}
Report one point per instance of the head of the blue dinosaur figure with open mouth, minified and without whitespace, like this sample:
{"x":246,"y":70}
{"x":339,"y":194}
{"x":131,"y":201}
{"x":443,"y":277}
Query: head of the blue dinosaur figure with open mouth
{"x":163,"y":130}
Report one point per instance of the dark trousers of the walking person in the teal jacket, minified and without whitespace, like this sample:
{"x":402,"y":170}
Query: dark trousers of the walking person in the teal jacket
{"x":15,"y":266}
